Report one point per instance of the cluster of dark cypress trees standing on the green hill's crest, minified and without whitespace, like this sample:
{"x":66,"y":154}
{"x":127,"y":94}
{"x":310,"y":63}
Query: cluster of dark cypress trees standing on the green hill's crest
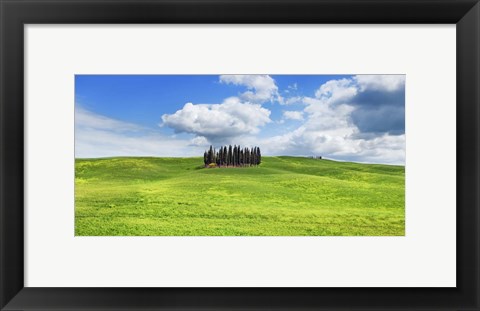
{"x":232,"y":156}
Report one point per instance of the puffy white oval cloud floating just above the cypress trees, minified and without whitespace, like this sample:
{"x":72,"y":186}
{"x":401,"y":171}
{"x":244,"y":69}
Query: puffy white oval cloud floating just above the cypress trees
{"x":216,"y":121}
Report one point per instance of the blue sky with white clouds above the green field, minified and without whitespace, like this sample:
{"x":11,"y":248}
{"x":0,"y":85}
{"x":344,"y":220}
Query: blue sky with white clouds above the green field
{"x":345,"y":117}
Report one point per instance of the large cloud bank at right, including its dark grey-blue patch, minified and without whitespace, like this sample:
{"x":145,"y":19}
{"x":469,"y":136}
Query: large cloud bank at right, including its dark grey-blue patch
{"x":350,"y":120}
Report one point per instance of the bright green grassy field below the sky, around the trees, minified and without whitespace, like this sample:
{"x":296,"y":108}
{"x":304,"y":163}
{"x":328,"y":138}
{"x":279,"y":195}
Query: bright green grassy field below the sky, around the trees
{"x":284,"y":196}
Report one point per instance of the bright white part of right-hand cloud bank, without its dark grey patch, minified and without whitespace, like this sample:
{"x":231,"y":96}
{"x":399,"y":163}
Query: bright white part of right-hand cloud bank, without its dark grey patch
{"x":329,"y":131}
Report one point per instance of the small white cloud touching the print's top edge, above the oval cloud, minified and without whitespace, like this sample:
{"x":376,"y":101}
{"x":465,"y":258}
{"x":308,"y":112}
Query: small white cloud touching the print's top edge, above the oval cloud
{"x":260,"y":88}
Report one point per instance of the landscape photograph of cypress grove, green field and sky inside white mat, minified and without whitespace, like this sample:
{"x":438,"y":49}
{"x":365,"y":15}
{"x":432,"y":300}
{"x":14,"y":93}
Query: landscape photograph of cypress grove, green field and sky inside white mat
{"x":240,"y":155}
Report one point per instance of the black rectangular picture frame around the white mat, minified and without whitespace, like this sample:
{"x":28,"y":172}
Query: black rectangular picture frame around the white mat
{"x":16,"y":13}
